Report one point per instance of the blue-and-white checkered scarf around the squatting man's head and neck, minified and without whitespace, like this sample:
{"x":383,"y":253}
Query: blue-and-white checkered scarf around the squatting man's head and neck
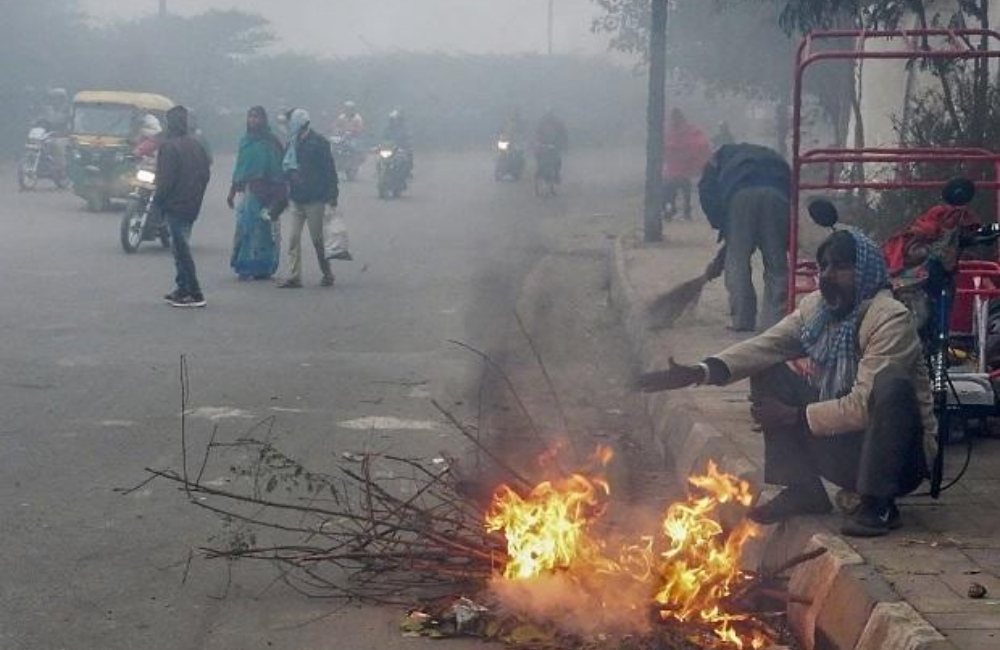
{"x":830,"y":343}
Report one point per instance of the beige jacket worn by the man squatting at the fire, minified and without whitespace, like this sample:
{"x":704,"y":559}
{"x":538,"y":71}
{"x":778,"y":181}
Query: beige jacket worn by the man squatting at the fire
{"x":887,"y":335}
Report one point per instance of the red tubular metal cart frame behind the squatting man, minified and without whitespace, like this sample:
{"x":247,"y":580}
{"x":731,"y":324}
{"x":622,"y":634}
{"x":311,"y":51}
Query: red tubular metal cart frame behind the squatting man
{"x":950,"y":44}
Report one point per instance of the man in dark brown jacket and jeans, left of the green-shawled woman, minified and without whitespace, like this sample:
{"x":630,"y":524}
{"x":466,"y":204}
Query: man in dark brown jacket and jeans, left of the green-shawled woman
{"x":182,"y":173}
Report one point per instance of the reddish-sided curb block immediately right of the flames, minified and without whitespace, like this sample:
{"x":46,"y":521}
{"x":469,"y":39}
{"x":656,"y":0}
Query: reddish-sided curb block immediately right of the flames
{"x":814,"y":580}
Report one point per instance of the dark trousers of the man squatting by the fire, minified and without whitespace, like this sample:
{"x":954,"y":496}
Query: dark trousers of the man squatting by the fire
{"x":885,"y":460}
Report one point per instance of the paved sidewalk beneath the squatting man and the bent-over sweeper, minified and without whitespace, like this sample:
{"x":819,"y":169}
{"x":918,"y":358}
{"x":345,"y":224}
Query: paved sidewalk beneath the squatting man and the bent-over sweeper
{"x":906,"y":591}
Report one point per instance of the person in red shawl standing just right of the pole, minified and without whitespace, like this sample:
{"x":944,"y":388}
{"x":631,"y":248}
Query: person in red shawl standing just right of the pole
{"x":685,"y":151}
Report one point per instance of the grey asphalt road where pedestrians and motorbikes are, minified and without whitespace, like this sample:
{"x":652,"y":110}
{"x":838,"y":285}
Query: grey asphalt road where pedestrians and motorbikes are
{"x":89,"y":390}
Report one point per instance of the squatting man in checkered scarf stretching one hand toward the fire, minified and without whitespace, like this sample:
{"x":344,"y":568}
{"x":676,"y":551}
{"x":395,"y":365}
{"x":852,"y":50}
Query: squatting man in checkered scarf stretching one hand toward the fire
{"x":862,"y":417}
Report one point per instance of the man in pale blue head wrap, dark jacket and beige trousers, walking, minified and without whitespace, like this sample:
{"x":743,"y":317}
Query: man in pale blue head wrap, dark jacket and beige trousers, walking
{"x":313,"y":190}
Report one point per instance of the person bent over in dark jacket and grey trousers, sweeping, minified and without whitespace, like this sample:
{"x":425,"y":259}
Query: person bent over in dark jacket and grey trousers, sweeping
{"x":744,"y":193}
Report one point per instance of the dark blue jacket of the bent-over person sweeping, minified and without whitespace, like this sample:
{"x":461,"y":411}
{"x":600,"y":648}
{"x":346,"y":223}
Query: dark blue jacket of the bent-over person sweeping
{"x":735,"y":167}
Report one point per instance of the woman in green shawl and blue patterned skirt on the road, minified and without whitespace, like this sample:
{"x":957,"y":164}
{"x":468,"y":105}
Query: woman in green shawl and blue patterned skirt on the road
{"x":258,"y":194}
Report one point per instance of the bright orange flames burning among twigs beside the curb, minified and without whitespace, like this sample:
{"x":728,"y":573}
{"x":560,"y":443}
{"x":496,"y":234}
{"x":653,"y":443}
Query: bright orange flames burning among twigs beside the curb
{"x":687,"y":569}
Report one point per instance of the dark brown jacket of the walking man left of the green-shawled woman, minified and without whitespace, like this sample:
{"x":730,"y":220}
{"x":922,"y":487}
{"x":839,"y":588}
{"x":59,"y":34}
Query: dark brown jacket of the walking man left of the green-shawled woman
{"x":182,"y":173}
